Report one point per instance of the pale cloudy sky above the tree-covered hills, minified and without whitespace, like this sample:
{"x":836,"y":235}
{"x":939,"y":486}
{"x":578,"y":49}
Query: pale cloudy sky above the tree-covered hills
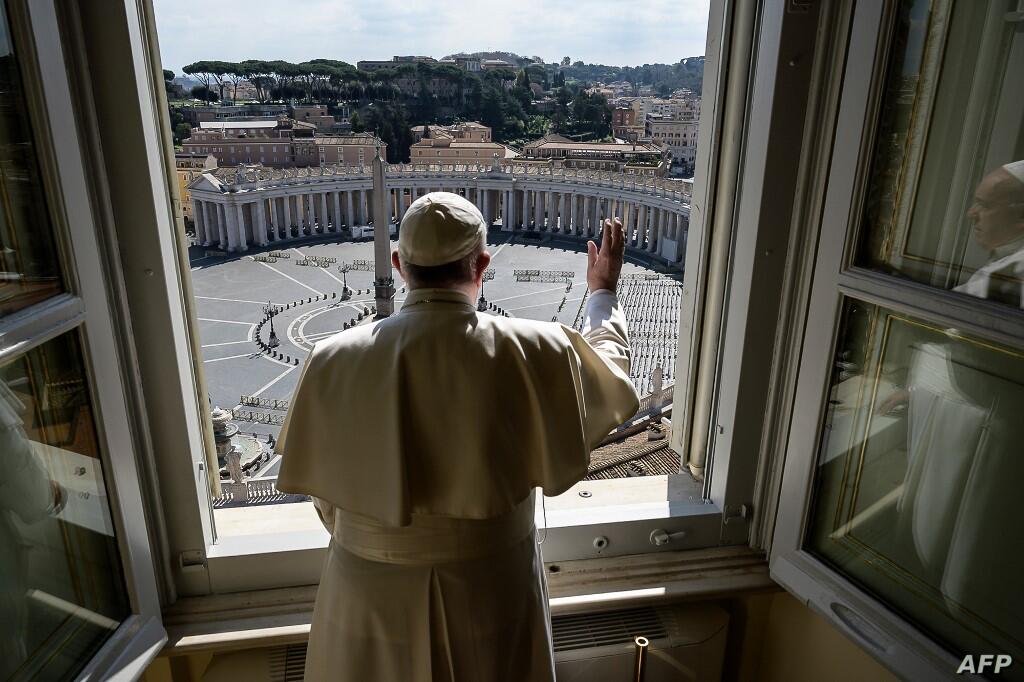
{"x":609,"y":32}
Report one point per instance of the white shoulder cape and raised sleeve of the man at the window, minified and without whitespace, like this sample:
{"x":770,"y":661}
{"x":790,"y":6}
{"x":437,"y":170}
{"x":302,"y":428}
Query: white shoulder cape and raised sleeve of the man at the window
{"x":446,"y":412}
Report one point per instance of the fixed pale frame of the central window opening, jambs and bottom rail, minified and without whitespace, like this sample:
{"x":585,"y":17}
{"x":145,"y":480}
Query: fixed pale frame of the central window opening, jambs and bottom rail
{"x":201,"y":564}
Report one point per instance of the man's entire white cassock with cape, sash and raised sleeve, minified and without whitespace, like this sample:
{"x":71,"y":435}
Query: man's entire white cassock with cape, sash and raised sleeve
{"x":421,"y":439}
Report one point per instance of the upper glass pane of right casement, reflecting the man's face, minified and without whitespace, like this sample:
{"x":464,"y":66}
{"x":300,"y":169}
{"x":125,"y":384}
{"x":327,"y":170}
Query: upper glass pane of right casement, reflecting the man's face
{"x":946,"y":199}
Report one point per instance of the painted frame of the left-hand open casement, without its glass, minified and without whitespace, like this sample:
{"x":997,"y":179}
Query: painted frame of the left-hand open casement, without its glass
{"x":88,"y":310}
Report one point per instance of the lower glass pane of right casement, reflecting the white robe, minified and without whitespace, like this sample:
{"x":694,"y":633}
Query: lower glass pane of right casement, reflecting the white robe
{"x":919,"y":477}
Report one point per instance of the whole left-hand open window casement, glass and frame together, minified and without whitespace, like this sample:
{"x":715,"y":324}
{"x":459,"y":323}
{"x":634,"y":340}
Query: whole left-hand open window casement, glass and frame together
{"x":78,"y":587}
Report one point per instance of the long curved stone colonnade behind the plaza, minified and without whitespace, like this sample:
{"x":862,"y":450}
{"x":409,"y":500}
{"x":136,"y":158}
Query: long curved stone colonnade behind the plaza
{"x":239,"y":208}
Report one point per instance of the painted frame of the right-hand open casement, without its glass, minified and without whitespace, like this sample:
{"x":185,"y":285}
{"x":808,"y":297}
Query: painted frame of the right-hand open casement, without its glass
{"x":849,"y":135}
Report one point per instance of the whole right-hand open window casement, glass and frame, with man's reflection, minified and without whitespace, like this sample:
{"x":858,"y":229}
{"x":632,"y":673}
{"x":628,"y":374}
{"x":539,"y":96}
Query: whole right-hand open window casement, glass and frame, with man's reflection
{"x":897,"y":519}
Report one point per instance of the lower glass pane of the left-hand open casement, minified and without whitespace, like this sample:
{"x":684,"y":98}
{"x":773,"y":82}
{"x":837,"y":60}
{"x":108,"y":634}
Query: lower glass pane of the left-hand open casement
{"x":62,"y":588}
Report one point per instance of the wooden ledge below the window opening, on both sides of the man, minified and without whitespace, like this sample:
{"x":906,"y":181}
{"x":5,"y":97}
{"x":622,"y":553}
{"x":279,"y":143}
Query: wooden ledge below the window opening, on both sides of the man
{"x":275,"y":618}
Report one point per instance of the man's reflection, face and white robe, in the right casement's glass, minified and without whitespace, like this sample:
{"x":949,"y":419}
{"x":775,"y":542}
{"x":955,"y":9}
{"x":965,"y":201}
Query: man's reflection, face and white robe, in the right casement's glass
{"x":963,"y":400}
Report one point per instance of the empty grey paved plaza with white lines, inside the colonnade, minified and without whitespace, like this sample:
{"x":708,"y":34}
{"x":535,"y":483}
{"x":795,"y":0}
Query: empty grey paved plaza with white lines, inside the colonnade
{"x":233,"y":292}
